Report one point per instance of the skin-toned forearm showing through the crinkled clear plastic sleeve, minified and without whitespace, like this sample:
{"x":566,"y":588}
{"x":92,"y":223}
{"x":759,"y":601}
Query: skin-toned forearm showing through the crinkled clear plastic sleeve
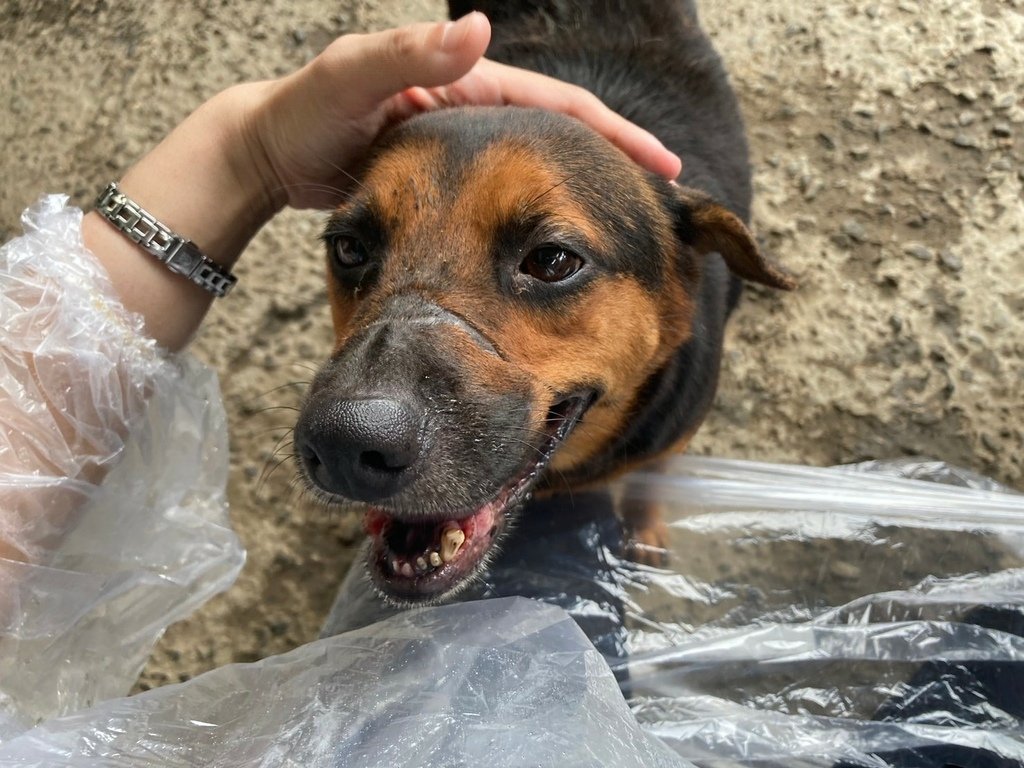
{"x":75,"y":373}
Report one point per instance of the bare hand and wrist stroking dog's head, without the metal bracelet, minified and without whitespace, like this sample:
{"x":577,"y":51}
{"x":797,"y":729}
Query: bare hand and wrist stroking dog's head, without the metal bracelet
{"x":222,"y":175}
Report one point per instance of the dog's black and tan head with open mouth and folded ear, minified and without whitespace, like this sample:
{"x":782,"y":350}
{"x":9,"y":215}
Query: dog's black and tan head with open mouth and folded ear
{"x":503,"y":283}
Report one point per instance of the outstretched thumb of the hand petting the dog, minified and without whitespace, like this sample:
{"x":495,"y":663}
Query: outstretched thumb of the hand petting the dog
{"x":421,"y":55}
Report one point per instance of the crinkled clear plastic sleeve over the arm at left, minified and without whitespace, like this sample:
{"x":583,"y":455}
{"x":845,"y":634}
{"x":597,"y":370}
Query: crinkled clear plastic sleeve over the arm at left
{"x":109,"y":539}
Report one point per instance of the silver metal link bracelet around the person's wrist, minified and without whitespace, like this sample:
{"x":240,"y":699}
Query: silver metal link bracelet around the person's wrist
{"x":181,"y":255}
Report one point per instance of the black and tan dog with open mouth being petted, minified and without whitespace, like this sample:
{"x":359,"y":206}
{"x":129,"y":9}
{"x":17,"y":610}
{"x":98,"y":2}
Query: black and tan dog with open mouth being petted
{"x":521,"y":309}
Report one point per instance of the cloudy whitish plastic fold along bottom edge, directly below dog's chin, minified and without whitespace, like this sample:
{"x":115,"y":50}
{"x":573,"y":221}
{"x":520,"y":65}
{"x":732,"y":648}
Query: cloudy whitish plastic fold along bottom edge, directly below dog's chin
{"x":503,"y":685}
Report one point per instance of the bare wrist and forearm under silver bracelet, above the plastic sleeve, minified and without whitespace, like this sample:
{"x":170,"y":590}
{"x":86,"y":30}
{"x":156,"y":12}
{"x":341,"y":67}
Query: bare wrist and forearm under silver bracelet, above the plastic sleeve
{"x":202,"y":184}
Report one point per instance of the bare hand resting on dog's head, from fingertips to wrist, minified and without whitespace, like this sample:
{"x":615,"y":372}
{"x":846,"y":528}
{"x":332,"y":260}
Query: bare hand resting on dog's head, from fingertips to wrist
{"x":306,"y":131}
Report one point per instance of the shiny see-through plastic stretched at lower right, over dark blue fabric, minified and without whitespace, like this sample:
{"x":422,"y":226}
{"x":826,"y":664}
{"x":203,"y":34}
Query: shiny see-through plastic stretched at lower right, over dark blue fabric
{"x":804,"y":617}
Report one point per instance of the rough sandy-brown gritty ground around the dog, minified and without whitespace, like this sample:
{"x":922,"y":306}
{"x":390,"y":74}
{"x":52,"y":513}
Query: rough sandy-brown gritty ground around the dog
{"x":888,"y":148}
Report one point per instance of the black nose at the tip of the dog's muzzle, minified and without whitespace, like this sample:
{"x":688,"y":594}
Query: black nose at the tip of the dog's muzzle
{"x":362,"y":450}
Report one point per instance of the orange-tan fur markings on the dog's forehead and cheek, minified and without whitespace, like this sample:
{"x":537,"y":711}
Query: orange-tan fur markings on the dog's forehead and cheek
{"x":614,"y":337}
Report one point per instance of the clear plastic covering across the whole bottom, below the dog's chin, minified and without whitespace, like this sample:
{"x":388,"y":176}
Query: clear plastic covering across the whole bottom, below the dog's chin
{"x":804,"y":618}
